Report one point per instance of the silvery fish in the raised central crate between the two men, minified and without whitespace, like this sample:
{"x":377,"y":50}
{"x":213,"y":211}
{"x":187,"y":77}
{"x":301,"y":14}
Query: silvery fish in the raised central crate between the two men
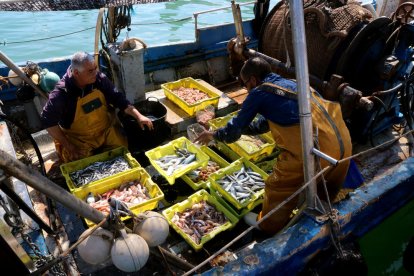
{"x":172,"y":162}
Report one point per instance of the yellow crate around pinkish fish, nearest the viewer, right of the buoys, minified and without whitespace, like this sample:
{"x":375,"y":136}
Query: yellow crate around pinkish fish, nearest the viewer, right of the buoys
{"x":193,"y":199}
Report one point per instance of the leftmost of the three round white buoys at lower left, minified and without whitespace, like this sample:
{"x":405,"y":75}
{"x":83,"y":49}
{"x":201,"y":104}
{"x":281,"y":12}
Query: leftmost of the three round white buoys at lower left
{"x":96,"y":248}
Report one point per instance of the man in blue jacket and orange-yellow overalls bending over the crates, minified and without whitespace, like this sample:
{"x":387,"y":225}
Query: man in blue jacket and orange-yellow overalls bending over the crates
{"x":275,"y":99}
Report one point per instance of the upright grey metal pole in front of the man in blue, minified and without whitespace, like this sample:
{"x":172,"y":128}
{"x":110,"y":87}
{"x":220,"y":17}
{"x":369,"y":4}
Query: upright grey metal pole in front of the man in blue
{"x":302,"y":78}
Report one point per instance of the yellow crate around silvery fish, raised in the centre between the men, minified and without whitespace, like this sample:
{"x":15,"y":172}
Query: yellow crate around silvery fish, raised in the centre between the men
{"x":168,"y":149}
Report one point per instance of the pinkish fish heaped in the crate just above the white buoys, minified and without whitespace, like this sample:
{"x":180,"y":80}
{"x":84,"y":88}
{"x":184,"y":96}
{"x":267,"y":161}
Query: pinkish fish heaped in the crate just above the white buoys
{"x":131,"y":193}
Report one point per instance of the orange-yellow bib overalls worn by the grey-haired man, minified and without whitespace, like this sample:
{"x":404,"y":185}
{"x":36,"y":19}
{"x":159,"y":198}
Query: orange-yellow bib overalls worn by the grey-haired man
{"x":92,"y":127}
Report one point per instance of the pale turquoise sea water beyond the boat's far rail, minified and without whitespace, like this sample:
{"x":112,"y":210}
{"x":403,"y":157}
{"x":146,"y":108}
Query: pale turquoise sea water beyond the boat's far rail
{"x":43,"y":35}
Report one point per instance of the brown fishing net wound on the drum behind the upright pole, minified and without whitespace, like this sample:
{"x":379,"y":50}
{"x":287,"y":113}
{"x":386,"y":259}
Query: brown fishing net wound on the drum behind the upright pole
{"x":326,"y":27}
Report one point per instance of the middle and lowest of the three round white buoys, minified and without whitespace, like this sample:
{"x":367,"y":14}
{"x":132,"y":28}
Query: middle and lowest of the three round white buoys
{"x":129,"y":252}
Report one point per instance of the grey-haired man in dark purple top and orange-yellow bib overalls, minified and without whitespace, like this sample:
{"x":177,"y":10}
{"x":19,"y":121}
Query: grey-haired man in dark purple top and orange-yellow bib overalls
{"x":77,"y":114}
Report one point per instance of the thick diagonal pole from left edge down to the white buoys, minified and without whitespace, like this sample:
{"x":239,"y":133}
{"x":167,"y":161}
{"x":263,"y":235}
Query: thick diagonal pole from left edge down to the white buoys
{"x":33,"y":178}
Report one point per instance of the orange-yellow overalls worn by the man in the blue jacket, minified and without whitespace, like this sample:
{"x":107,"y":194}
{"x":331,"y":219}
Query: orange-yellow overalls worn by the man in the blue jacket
{"x":287,"y":176}
